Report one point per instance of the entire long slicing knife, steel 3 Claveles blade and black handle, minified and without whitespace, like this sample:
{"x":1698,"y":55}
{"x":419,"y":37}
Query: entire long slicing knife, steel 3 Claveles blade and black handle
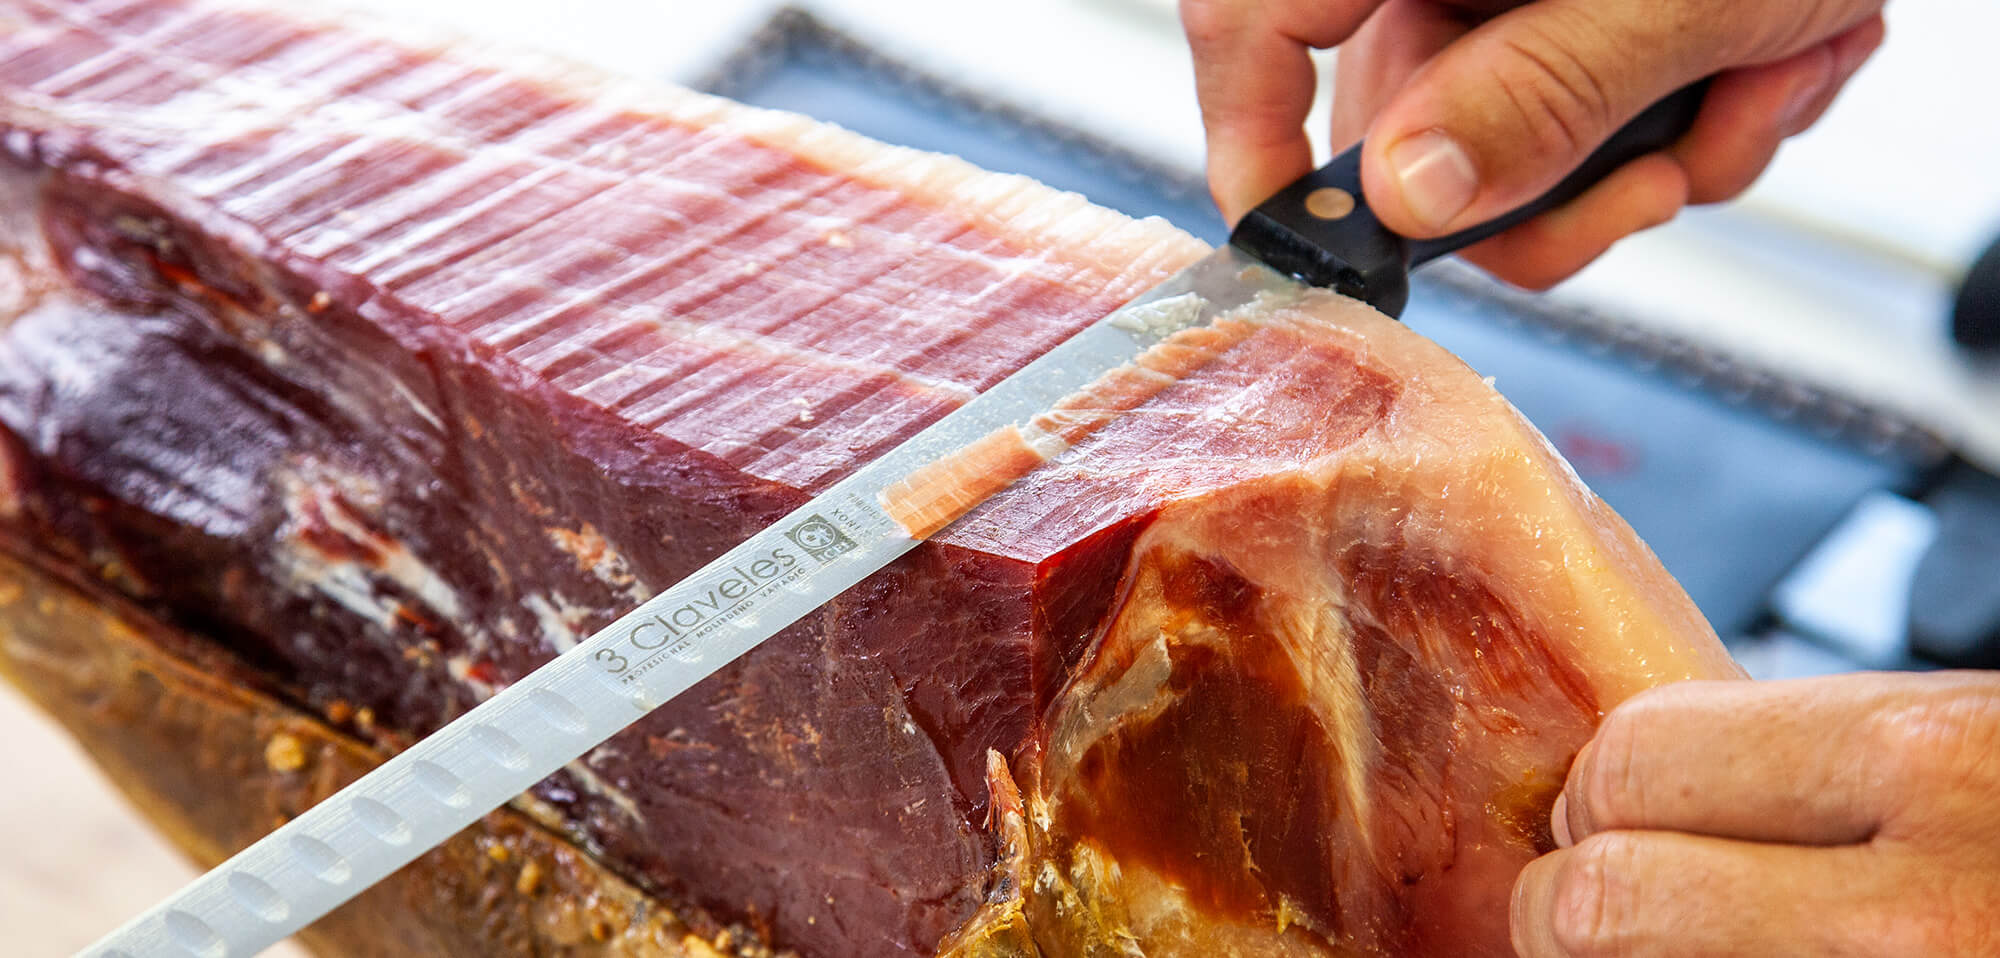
{"x":1315,"y":233}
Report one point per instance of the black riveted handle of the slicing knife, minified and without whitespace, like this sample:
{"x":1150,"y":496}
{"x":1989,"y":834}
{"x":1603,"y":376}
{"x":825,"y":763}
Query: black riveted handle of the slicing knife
{"x":1321,"y":229}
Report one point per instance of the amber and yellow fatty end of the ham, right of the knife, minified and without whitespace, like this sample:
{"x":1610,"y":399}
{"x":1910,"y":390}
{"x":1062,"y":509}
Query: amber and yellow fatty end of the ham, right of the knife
{"x":1351,"y":665}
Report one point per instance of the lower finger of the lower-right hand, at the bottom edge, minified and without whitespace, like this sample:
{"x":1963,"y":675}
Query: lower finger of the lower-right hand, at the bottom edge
{"x":1659,"y":895}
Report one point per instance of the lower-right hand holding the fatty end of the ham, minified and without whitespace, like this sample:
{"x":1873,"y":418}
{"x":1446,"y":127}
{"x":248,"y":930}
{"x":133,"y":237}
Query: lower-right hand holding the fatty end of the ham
{"x":1851,"y":815}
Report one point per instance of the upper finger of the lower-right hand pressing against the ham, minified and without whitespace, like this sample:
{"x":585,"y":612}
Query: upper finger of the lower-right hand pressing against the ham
{"x":1761,"y":761}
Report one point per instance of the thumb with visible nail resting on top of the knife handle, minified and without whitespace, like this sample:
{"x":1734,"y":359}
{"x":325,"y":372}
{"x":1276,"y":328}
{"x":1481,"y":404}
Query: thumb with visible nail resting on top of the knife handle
{"x":1505,"y":113}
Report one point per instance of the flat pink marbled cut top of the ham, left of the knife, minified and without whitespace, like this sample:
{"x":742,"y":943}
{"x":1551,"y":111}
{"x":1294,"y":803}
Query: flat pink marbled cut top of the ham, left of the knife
{"x":689,"y":267}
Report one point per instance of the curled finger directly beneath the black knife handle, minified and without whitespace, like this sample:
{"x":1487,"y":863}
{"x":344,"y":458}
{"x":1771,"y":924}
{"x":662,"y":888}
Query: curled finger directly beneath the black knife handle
{"x":1553,"y":247}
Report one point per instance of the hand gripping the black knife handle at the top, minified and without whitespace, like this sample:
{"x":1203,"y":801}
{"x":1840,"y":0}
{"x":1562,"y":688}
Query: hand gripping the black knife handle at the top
{"x":1477,"y":107}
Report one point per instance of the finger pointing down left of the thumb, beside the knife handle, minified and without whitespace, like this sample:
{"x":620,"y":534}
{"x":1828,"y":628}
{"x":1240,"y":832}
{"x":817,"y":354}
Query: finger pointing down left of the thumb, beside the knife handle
{"x":1255,"y":81}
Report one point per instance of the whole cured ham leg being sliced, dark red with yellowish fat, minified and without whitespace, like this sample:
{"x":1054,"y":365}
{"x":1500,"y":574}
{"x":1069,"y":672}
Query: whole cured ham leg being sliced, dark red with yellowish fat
{"x":393,"y":367}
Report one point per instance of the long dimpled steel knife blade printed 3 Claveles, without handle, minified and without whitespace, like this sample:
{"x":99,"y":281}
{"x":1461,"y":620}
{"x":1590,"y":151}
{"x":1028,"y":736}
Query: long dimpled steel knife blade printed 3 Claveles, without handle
{"x":569,"y":707}
